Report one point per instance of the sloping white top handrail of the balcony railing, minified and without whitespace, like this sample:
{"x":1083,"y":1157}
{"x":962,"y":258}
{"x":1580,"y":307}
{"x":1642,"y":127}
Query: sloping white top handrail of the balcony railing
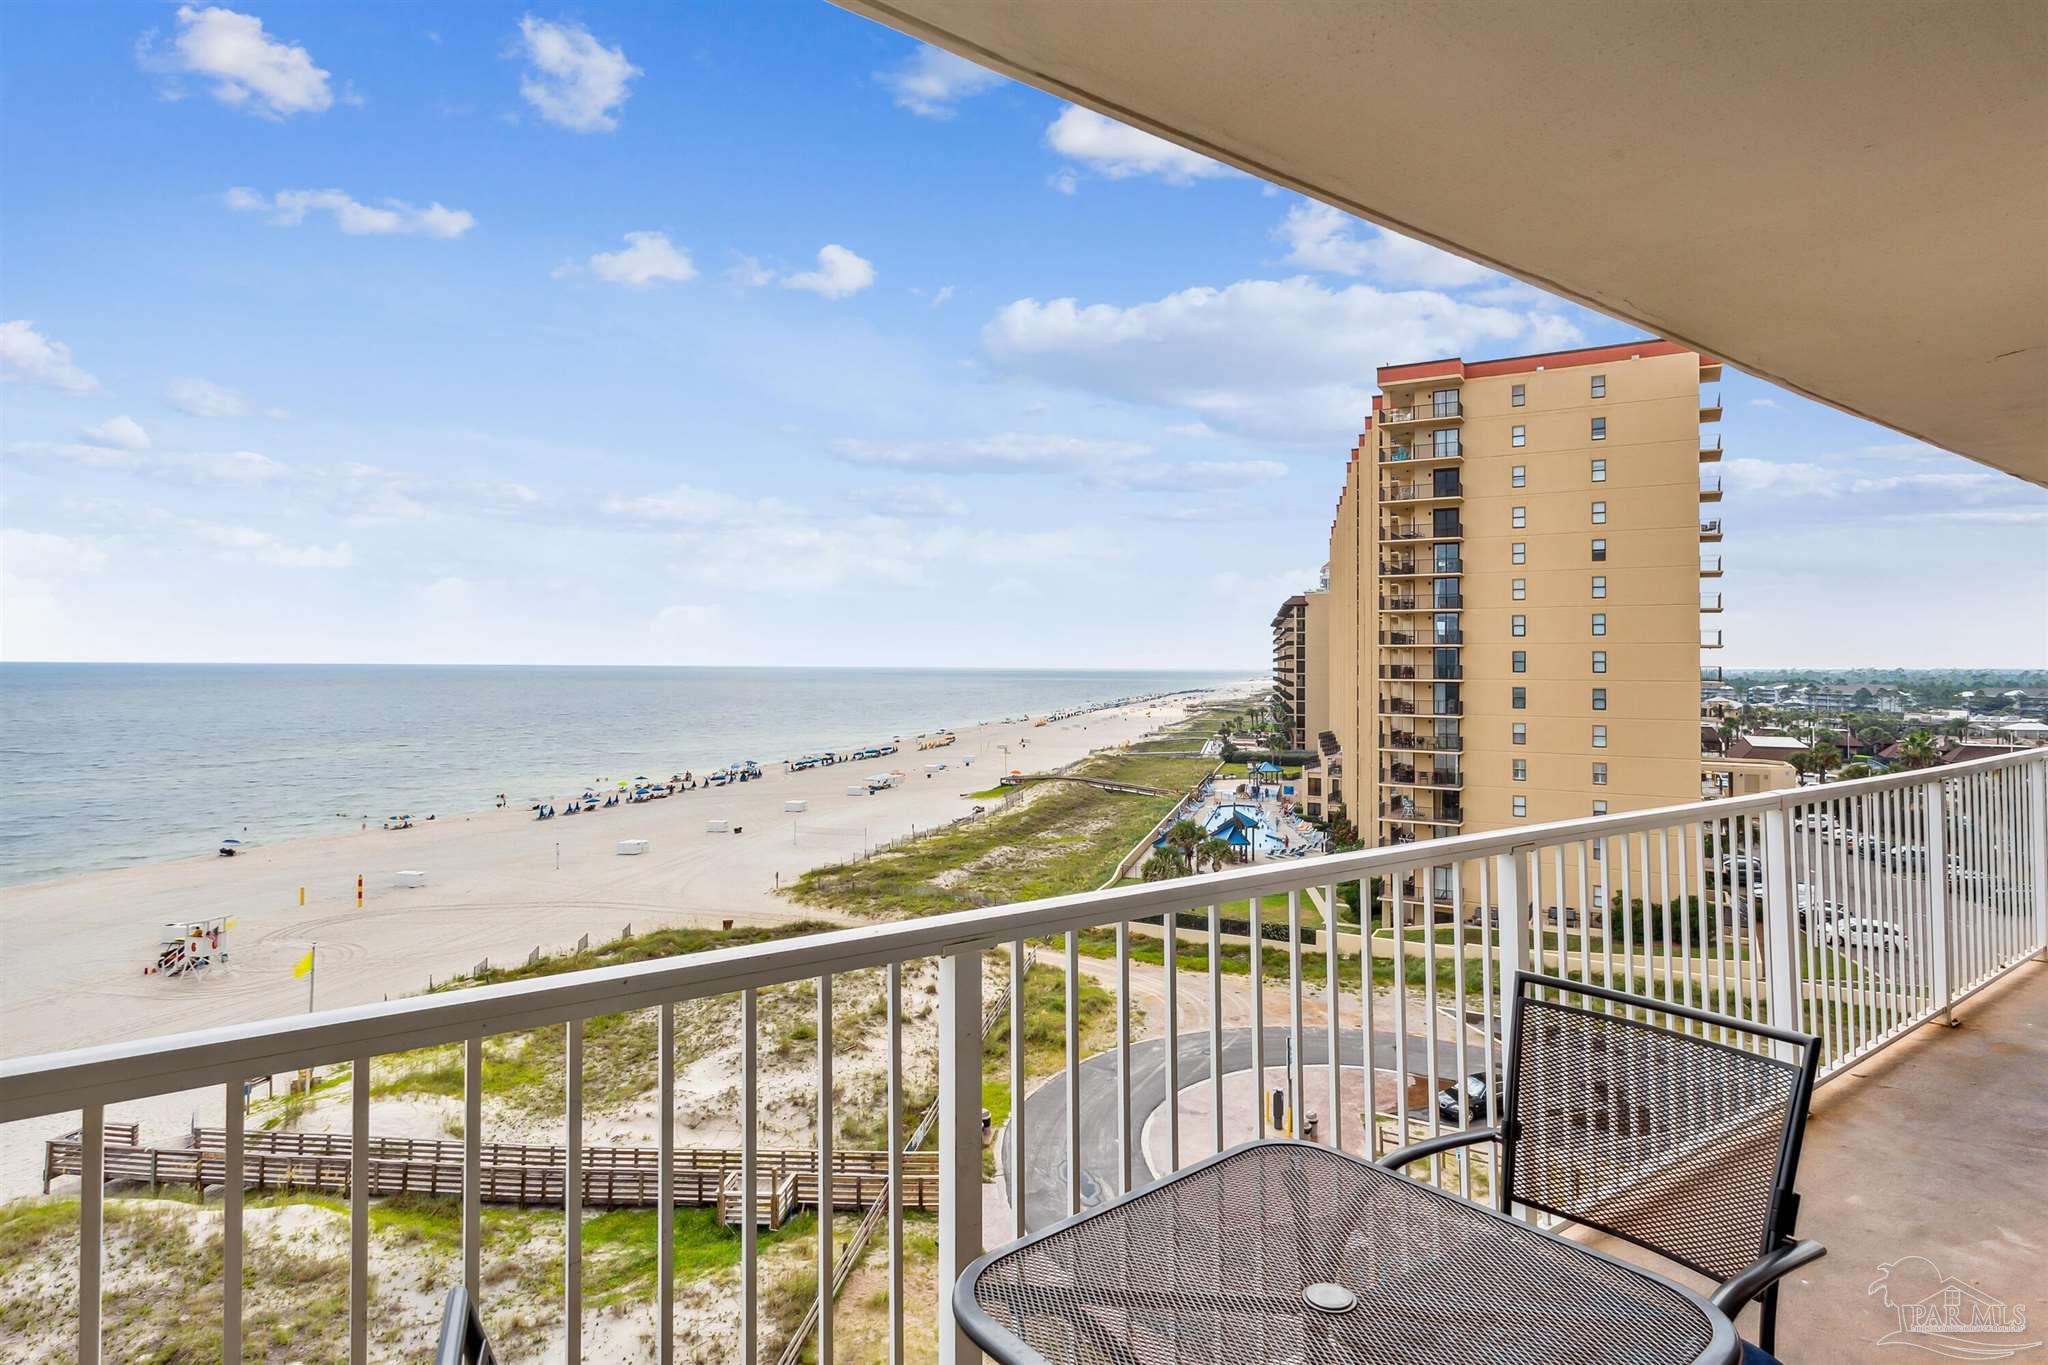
{"x":60,"y":1082}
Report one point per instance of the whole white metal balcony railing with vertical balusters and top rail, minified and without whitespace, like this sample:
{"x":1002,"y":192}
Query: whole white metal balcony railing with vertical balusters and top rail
{"x":1857,"y":912}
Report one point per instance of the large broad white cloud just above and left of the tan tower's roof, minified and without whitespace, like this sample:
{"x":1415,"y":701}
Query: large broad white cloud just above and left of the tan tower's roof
{"x":1273,"y":359}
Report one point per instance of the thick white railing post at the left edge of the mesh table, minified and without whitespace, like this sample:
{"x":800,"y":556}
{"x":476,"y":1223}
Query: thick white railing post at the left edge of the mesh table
{"x":959,"y":1141}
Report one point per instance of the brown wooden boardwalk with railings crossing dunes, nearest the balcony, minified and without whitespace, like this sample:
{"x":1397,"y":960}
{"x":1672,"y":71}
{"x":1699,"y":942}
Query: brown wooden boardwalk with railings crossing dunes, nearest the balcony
{"x":509,"y":1174}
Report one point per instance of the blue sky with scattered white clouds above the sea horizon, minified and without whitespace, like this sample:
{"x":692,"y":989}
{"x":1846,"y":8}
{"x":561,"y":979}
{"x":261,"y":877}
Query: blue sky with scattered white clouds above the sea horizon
{"x":759,"y":335}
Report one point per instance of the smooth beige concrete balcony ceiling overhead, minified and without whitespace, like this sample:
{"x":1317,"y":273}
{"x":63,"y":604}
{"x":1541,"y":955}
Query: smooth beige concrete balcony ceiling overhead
{"x":1848,"y":206}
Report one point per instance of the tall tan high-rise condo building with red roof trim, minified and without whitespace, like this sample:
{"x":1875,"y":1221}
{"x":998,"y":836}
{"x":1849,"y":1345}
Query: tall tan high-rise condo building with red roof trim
{"x":1517,"y":592}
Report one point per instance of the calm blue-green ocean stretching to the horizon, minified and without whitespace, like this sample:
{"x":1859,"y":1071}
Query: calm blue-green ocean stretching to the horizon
{"x":118,"y":764}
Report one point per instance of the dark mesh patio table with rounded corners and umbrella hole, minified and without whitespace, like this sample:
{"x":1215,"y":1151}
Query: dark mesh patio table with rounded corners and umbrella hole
{"x":1289,"y":1251}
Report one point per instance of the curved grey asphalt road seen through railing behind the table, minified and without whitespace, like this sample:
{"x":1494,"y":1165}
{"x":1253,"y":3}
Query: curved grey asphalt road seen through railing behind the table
{"x":1046,"y":1110}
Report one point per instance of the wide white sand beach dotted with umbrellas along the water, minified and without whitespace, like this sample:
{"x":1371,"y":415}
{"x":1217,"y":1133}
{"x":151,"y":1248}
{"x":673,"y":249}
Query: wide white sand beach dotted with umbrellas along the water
{"x":499,"y":885}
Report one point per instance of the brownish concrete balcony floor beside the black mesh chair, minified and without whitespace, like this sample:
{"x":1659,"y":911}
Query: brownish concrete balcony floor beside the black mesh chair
{"x":1936,"y":1147}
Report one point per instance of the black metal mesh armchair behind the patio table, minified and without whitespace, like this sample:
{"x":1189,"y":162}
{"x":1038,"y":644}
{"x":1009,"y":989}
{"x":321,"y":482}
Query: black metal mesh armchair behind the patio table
{"x":1680,"y":1143}
